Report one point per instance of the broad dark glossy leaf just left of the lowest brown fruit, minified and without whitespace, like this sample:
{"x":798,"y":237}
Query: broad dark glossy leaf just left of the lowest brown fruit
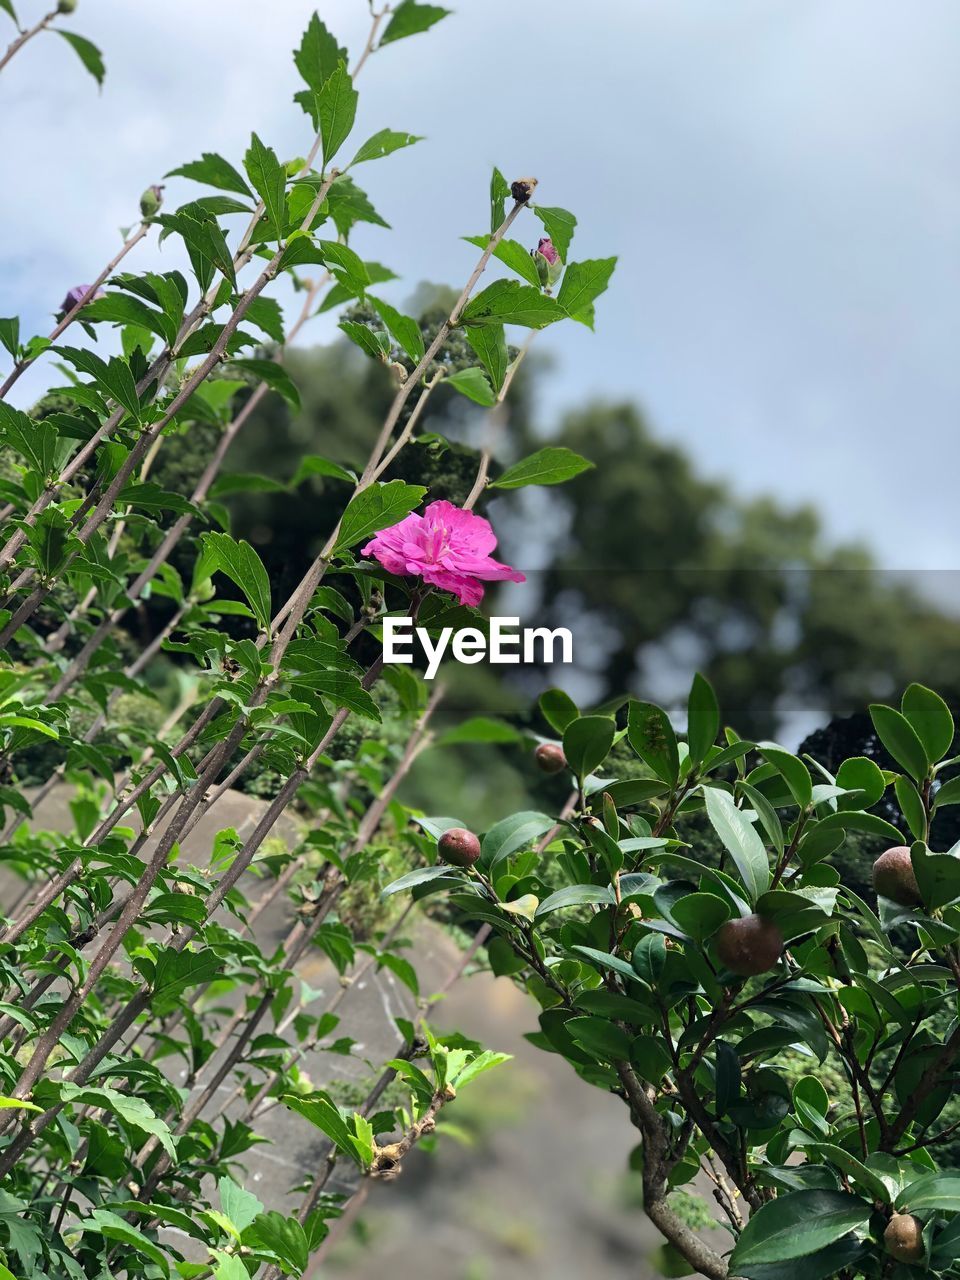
{"x":798,"y":1224}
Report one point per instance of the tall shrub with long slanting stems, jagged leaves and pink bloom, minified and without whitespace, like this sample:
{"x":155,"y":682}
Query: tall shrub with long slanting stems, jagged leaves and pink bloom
{"x":150,"y":1026}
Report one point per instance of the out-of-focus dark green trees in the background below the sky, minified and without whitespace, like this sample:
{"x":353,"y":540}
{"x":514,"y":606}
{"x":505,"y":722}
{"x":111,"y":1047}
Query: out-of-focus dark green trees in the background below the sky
{"x":662,"y":570}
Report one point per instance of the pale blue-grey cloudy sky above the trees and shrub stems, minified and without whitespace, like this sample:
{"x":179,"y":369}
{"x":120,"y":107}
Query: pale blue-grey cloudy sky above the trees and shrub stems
{"x":779,"y":179}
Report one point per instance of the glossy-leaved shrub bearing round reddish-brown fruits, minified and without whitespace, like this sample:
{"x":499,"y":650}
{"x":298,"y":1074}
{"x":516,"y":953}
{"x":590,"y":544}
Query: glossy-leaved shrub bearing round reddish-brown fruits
{"x":712,"y":995}
